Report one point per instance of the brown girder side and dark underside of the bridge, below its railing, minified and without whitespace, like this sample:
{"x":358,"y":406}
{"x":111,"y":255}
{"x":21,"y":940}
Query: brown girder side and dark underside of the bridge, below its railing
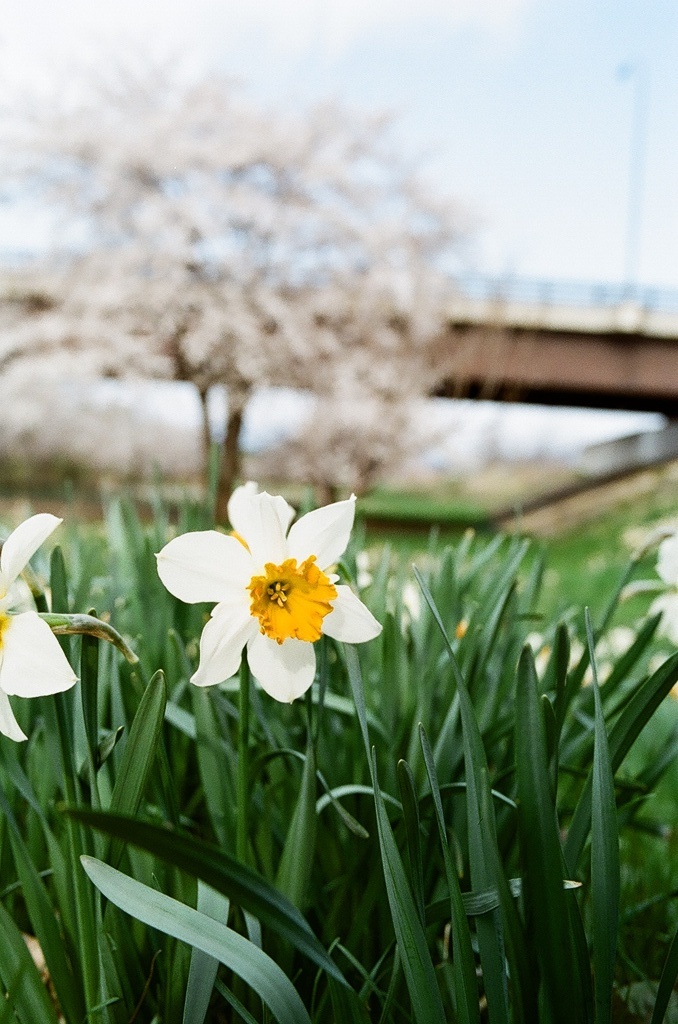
{"x":615,"y":371}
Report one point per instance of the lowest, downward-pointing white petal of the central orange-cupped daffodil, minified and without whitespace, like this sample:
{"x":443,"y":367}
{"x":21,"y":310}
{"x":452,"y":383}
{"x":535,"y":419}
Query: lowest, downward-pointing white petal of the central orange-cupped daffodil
{"x":284,"y":671}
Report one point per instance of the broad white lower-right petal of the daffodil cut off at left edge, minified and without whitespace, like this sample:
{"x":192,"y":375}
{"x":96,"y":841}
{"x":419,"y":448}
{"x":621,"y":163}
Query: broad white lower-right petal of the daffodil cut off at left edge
{"x":33,"y":663}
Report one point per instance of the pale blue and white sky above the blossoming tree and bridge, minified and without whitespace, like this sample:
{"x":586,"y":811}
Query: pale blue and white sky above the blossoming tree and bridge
{"x":517,"y":108}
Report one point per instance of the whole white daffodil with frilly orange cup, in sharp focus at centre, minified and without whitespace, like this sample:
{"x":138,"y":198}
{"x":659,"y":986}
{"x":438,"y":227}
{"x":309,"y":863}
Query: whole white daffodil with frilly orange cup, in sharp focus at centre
{"x":274,"y":589}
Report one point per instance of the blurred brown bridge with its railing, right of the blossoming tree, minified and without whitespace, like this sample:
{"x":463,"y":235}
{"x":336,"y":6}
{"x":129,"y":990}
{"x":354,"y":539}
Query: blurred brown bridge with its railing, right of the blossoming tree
{"x":569,"y":345}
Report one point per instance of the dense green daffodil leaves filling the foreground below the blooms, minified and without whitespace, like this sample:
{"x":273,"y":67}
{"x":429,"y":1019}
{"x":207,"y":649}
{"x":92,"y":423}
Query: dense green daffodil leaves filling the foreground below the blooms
{"x":452,"y":828}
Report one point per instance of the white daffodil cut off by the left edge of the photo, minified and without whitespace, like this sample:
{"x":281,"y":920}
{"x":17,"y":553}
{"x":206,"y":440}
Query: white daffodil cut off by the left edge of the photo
{"x":32,"y":664}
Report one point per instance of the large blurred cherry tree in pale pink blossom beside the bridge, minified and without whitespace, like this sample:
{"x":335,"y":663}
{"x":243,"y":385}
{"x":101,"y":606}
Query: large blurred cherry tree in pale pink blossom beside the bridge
{"x":229,"y":245}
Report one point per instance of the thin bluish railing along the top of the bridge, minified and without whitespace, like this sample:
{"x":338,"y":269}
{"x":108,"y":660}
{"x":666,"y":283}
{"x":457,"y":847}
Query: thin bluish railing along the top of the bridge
{"x":534,"y":291}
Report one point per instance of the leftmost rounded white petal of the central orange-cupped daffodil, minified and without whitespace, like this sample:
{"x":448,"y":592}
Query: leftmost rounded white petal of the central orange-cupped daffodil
{"x":205,"y":567}
